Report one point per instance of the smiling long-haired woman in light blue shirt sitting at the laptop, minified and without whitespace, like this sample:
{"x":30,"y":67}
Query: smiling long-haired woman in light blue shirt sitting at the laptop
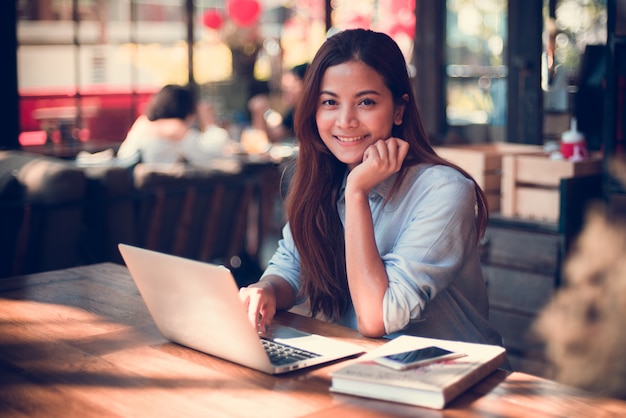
{"x":382,"y":233}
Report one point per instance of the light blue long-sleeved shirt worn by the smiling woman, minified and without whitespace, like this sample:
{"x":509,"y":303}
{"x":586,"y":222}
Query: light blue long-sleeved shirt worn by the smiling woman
{"x":426,"y":238}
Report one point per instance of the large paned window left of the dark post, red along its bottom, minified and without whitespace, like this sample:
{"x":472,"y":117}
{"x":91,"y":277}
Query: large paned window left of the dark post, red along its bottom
{"x":86,"y":67}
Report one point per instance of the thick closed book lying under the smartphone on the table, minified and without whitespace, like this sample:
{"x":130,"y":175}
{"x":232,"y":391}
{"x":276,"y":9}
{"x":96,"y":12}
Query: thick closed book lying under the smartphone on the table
{"x":432,"y":386}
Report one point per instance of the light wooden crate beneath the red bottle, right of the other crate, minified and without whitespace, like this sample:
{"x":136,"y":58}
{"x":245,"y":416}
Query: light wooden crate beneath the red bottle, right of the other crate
{"x":530,"y":184}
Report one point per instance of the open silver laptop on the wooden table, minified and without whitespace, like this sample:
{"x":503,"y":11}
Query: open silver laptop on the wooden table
{"x":197,"y":305}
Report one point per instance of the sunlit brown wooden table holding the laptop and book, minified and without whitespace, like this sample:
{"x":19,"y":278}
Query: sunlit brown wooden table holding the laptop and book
{"x":80,"y":342}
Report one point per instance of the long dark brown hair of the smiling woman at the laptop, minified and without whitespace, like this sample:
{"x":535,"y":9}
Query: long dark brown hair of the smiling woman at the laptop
{"x":311,"y":203}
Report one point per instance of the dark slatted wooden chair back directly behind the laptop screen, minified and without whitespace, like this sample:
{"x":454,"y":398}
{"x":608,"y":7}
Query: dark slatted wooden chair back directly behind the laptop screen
{"x":199,"y":214}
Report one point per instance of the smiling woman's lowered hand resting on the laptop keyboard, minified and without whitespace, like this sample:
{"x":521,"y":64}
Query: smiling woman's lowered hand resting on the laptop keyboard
{"x":259,"y":299}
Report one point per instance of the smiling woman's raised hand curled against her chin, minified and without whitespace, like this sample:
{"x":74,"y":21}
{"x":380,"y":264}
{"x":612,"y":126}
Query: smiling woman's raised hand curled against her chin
{"x":380,"y":160}
